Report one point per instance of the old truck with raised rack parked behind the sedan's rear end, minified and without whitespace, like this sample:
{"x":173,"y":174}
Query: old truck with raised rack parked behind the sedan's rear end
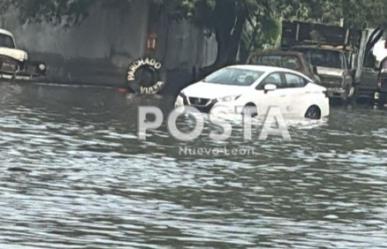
{"x":331,"y":50}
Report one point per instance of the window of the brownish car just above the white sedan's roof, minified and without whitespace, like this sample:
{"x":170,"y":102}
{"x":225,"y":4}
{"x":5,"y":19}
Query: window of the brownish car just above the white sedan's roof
{"x":286,"y":61}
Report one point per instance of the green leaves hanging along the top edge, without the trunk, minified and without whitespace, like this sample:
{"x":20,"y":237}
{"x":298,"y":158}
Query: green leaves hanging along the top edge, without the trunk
{"x":356,"y":13}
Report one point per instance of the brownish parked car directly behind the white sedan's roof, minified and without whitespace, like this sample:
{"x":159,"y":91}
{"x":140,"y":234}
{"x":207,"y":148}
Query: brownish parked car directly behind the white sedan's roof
{"x":287,"y":59}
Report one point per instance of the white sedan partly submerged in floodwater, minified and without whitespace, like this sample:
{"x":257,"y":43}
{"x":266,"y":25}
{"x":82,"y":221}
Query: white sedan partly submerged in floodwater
{"x":254,"y":90}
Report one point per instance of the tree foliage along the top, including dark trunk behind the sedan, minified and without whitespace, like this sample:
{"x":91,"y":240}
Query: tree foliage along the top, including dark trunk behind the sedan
{"x":239,"y":25}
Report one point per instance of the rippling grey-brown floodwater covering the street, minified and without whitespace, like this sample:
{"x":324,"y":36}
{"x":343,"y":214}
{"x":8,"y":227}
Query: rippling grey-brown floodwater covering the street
{"x":74,"y":175}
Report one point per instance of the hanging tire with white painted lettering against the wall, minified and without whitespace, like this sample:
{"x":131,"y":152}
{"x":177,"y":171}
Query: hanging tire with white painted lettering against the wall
{"x":146,"y":77}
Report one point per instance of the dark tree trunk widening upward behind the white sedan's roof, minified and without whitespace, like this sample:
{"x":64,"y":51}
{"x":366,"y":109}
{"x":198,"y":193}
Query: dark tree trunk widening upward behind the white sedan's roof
{"x":225,"y":18}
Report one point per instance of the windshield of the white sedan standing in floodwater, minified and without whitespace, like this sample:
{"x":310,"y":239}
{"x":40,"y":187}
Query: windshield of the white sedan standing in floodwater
{"x":234,"y":76}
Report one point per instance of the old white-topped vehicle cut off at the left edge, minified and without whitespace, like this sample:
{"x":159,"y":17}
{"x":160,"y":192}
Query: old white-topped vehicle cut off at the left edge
{"x":14,"y":63}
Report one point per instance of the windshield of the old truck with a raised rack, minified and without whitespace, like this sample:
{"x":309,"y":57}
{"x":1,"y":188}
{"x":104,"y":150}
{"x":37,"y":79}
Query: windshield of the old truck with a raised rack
{"x":324,"y":58}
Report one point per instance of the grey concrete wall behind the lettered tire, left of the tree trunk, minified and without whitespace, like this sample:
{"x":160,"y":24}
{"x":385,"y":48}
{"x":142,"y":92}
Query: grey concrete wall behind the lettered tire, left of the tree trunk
{"x":100,"y":48}
